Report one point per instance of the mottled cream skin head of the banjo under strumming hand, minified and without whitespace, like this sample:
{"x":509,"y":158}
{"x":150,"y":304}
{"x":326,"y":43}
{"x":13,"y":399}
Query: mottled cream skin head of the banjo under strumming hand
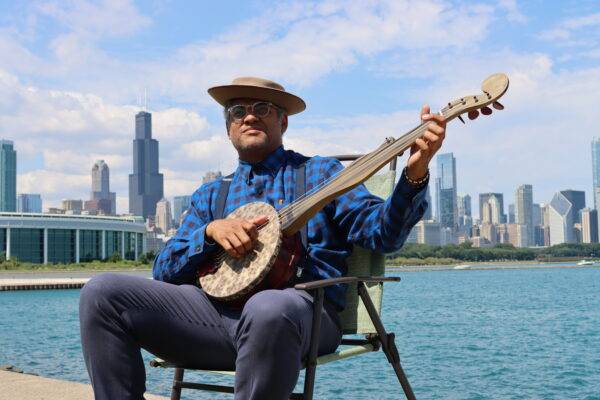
{"x":234,"y":277}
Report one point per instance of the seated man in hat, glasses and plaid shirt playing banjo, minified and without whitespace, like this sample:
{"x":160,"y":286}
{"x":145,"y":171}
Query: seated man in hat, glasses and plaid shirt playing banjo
{"x":266,"y":339}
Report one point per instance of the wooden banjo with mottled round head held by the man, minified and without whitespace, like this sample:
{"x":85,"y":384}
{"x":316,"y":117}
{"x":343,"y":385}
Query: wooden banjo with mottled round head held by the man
{"x":272,"y":262}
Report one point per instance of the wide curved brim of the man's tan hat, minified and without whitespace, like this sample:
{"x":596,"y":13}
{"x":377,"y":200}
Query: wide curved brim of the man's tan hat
{"x":291,"y":103}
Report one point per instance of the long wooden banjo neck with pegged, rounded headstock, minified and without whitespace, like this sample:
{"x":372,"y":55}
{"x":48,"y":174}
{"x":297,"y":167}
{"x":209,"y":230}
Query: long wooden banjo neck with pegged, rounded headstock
{"x":295,"y":215}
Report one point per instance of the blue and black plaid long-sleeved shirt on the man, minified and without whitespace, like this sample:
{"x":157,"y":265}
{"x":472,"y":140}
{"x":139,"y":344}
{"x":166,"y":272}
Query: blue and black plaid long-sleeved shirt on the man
{"x":355,"y":217}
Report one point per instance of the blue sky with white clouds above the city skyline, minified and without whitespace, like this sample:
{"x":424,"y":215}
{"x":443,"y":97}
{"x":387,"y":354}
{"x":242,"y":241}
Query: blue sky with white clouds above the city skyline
{"x":74,"y":73}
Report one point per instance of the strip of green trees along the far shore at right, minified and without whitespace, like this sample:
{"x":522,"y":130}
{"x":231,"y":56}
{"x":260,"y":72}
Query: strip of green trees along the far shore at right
{"x":422,"y":254}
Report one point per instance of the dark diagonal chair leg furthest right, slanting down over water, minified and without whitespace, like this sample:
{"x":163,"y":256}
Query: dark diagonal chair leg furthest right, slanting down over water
{"x":388,"y":344}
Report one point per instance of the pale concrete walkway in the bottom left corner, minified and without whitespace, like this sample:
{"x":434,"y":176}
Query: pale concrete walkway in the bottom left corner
{"x":30,"y":387}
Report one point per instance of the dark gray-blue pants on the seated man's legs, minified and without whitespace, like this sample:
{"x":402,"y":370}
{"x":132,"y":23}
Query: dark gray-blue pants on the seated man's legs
{"x":264,"y":342}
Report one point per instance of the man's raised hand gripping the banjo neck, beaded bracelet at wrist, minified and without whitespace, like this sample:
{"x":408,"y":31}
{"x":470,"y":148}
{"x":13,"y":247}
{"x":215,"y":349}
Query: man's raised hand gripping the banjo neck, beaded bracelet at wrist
{"x":425,"y":147}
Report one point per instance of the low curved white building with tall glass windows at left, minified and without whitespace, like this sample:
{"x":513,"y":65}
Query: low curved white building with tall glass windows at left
{"x":58,"y":238}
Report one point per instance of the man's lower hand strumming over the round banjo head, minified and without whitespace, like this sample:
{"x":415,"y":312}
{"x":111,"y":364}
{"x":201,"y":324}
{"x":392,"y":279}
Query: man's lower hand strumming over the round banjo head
{"x":236,"y":236}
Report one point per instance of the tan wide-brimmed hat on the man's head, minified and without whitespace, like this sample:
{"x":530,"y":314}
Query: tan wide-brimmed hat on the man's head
{"x":260,"y":89}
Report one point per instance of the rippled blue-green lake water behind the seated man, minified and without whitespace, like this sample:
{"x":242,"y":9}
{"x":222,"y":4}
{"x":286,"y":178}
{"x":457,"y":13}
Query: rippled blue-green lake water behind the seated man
{"x":462,"y":334}
